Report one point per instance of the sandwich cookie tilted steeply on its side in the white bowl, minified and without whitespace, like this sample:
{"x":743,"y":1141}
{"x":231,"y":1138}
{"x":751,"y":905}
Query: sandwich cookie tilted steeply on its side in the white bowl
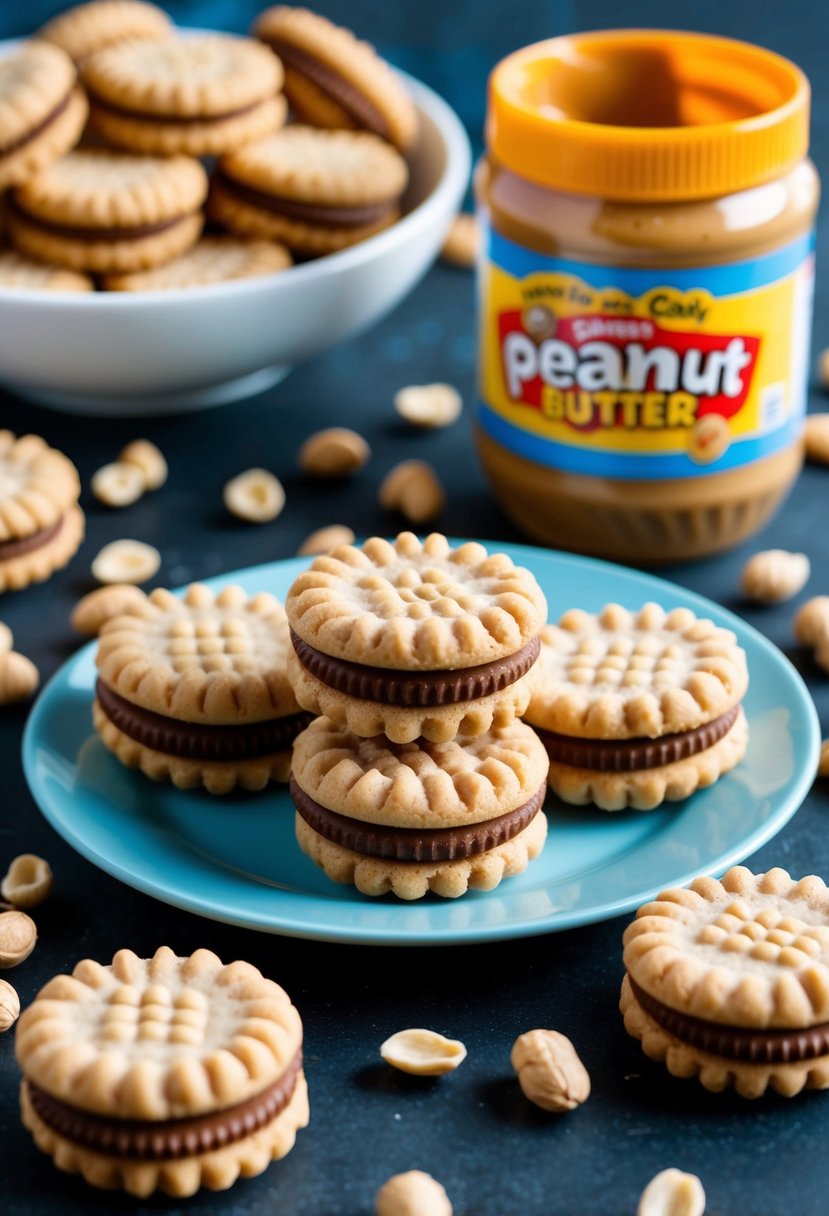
{"x":335,"y":81}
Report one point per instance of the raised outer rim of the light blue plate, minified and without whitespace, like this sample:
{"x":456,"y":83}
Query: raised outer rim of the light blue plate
{"x":313,"y":930}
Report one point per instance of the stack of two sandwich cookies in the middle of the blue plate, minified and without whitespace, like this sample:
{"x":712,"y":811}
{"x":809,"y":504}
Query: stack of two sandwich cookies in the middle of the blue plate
{"x":421,"y":657}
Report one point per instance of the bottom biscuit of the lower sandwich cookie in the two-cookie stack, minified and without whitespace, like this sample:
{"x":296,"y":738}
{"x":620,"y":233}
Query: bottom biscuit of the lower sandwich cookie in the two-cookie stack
{"x":413,"y":881}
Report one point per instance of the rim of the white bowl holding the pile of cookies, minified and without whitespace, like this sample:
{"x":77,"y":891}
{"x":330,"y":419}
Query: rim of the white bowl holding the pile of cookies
{"x":456,"y":172}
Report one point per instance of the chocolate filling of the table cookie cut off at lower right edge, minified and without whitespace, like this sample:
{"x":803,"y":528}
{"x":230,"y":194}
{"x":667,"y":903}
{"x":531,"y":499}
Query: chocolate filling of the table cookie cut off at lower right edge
{"x":732,"y":1043}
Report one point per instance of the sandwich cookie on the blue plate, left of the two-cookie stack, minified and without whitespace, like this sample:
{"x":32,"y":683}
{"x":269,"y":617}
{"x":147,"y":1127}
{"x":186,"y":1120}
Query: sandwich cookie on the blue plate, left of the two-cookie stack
{"x":195,"y":691}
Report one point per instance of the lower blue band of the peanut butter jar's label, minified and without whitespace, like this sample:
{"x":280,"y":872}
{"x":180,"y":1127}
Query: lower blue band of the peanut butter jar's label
{"x":631,"y":466}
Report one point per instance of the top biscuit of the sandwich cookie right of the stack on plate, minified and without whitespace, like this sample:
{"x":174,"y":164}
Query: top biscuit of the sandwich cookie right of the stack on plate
{"x":641,"y":696}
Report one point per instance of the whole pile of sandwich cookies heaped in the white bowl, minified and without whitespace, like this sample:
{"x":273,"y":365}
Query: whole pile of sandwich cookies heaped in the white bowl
{"x":106,"y":120}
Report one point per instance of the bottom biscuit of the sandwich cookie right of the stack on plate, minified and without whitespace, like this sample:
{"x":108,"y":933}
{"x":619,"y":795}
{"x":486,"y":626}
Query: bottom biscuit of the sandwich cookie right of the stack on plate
{"x":648,"y":789}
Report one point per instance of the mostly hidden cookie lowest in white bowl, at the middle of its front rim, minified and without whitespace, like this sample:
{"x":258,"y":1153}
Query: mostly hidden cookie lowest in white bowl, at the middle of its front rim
{"x":215,"y":260}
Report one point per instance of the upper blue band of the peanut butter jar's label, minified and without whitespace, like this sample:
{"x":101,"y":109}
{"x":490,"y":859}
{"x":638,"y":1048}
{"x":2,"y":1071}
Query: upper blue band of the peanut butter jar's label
{"x":730,"y":280}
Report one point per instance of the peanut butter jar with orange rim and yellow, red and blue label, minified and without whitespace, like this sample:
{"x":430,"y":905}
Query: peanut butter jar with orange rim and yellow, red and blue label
{"x":646,"y":290}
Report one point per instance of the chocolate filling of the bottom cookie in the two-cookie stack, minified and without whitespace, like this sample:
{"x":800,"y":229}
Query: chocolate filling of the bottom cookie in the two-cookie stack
{"x":415,"y":845}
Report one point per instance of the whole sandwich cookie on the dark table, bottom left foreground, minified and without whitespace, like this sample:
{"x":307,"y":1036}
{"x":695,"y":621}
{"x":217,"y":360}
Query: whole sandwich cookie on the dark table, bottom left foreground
{"x":162,"y":1074}
